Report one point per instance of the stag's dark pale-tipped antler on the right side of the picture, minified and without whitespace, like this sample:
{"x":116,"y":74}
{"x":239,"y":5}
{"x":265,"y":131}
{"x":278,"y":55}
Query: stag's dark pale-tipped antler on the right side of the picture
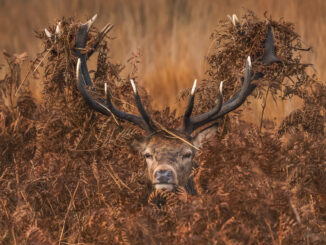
{"x":192,"y":123}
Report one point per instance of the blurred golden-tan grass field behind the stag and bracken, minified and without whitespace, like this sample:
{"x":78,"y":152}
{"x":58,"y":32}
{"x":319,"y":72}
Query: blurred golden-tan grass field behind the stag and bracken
{"x":171,"y":37}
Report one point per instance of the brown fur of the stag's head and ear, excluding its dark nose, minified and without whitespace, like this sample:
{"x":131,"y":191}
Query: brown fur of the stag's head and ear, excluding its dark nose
{"x":170,"y":153}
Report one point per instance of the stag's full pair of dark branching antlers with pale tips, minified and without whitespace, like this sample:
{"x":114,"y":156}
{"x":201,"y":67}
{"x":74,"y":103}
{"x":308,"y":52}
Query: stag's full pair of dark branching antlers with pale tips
{"x":144,"y":121}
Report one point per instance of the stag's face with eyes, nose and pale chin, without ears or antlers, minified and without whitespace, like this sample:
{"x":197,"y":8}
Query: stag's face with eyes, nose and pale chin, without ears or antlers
{"x":169,"y":161}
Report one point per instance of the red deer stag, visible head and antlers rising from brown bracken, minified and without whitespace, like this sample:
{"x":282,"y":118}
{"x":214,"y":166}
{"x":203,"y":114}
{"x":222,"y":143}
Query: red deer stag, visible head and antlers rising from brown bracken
{"x":169,"y":160}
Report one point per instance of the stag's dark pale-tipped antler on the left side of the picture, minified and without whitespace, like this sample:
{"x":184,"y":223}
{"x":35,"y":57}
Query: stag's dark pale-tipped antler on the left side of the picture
{"x":83,"y":79}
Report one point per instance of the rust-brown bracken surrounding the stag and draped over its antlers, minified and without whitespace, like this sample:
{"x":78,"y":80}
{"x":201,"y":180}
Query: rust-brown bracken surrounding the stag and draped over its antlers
{"x":67,"y":175}
